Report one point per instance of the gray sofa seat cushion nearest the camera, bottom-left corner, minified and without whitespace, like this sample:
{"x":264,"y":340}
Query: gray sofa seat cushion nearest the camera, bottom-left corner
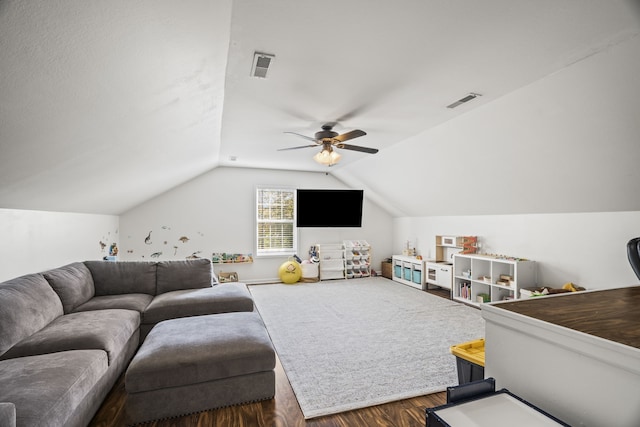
{"x":47,"y":389}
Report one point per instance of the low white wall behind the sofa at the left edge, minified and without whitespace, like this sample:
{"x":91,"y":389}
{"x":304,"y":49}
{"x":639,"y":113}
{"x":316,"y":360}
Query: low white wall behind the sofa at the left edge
{"x":35,"y":241}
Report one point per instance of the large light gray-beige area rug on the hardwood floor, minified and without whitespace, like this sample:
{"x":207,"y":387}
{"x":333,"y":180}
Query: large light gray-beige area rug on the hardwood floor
{"x":349,"y":344}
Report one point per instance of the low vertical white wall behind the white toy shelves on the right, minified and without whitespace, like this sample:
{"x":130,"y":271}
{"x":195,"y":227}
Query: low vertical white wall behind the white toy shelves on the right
{"x":588,"y":249}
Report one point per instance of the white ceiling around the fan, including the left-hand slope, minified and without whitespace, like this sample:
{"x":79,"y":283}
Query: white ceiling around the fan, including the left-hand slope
{"x":105,"y":104}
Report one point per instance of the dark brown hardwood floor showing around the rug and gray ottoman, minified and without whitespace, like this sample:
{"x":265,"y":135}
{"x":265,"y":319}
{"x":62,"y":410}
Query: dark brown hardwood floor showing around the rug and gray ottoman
{"x":282,"y":411}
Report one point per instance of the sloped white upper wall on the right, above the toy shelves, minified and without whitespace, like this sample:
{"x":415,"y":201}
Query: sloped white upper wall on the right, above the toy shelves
{"x":566,"y":143}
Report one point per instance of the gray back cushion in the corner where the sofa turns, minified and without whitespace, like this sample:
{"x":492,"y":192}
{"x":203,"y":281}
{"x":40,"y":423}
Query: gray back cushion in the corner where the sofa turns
{"x":73,"y":283}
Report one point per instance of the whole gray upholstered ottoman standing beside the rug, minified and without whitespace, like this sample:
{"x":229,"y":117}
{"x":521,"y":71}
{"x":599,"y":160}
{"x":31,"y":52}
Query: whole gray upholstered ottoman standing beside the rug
{"x":198,"y":363}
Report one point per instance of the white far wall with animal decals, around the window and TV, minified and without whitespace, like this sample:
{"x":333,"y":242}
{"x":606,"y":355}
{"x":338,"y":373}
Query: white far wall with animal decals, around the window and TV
{"x":216,"y":212}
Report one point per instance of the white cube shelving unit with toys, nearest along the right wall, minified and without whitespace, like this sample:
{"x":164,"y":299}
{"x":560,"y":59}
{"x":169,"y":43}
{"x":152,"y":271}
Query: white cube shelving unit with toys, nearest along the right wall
{"x":485,"y":278}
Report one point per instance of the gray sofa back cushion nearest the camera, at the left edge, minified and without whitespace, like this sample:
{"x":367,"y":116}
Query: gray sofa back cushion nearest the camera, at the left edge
{"x":27,"y":305}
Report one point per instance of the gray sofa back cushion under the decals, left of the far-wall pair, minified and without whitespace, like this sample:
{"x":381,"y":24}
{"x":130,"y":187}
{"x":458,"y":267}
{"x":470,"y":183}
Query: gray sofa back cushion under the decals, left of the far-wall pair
{"x":128,"y":277}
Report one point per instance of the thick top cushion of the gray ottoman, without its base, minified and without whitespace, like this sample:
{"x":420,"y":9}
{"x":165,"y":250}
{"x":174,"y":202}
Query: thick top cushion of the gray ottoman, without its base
{"x":193,"y":350}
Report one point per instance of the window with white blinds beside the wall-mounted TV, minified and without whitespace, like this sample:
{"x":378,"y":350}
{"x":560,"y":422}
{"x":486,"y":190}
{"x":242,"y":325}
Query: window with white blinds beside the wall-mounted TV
{"x":275,"y":221}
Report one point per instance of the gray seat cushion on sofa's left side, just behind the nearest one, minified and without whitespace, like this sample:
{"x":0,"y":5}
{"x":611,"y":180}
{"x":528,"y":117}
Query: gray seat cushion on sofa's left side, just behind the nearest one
{"x":107,"y":330}
